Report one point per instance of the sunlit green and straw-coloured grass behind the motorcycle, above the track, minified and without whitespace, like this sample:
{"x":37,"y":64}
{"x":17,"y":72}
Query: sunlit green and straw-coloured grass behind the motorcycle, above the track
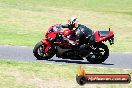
{"x":24,"y":22}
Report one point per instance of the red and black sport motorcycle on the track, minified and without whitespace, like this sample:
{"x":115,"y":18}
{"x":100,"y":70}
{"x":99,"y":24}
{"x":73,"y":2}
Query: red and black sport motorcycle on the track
{"x":90,"y":45}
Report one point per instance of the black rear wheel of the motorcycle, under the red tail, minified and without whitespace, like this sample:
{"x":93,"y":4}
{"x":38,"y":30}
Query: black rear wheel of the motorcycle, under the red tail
{"x":99,"y":55}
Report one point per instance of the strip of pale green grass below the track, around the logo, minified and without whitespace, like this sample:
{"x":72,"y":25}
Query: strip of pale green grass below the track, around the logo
{"x":38,"y":74}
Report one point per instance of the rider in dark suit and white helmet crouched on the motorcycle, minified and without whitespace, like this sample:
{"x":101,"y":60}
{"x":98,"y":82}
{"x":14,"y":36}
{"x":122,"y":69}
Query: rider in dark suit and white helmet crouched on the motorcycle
{"x":74,"y":25}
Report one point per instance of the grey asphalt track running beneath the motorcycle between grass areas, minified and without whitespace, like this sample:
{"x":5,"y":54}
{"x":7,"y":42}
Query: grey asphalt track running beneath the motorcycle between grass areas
{"x":115,"y":60}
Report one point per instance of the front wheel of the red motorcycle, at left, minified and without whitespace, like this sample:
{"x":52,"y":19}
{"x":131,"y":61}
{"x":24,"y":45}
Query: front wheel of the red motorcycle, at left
{"x":40,"y":54}
